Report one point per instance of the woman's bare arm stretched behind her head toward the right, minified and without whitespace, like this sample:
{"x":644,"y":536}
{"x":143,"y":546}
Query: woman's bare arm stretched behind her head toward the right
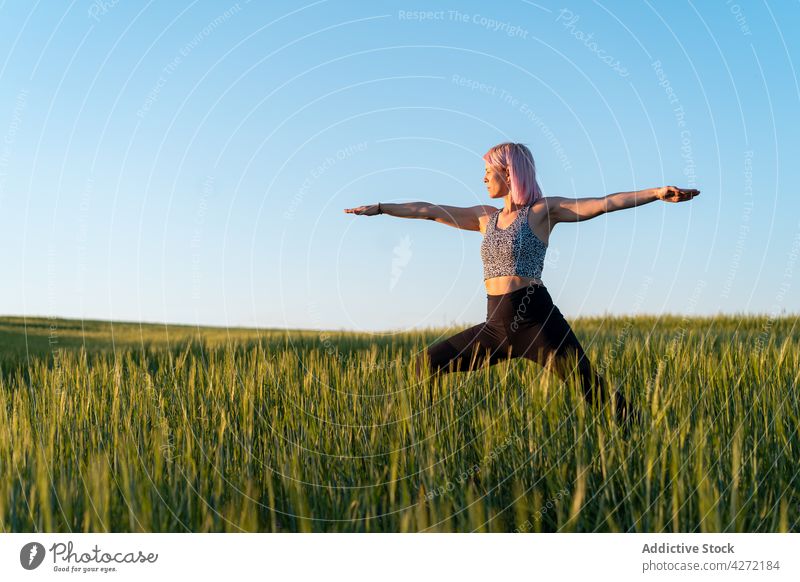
{"x":578,"y":209}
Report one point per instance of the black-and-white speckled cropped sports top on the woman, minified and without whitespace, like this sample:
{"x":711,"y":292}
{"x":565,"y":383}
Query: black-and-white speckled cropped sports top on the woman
{"x":514,"y":250}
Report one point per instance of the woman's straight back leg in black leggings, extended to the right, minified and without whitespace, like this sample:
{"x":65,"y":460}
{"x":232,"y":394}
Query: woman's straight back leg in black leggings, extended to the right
{"x":540,"y":333}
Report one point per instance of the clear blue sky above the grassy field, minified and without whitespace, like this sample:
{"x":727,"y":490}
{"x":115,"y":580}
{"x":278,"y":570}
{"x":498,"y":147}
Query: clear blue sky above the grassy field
{"x":190,"y":162}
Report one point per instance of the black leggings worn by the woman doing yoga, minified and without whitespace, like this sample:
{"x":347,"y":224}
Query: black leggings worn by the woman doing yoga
{"x":523,"y":323}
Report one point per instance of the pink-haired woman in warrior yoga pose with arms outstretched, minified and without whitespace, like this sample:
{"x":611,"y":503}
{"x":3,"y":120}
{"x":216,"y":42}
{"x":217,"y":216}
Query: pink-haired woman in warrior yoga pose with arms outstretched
{"x":521,"y":319}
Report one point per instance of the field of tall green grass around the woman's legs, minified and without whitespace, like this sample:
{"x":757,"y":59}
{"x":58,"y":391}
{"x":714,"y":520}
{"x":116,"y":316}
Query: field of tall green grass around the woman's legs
{"x":171,"y":429}
